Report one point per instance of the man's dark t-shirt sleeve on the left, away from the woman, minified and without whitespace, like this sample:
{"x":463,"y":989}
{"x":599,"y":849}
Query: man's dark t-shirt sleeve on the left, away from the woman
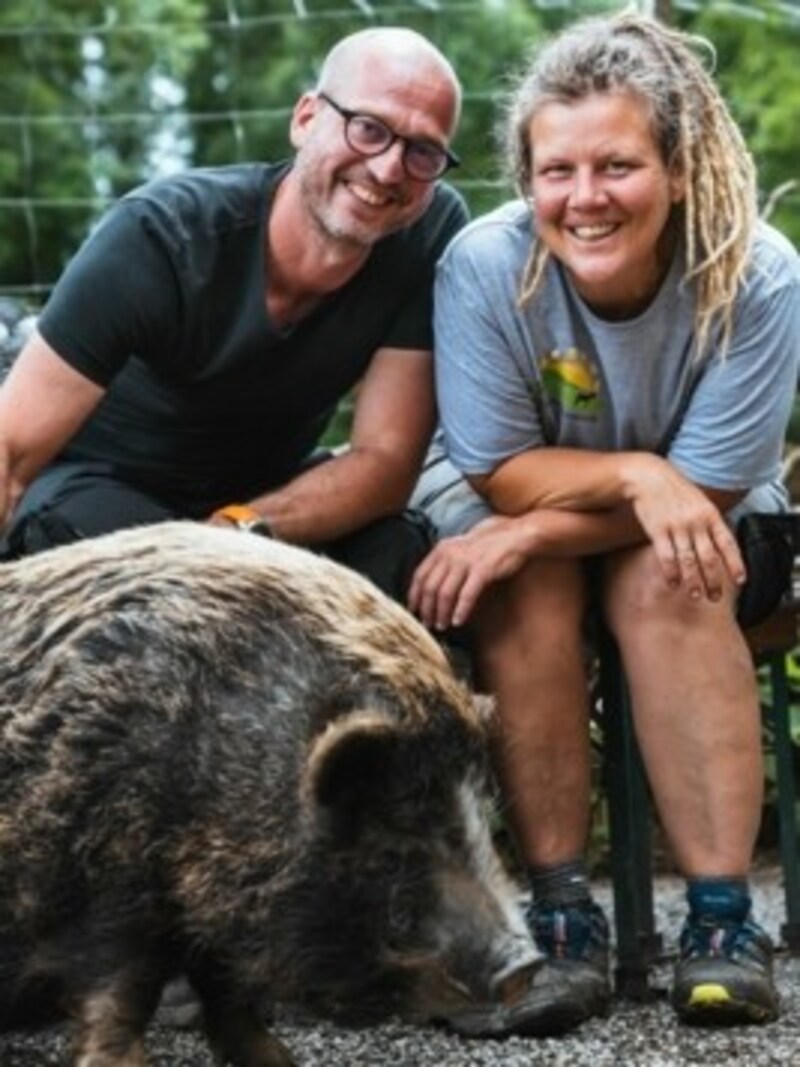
{"x":118,"y":297}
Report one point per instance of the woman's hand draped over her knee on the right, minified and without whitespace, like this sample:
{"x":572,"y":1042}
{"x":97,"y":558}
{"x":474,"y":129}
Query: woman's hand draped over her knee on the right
{"x":693,"y":542}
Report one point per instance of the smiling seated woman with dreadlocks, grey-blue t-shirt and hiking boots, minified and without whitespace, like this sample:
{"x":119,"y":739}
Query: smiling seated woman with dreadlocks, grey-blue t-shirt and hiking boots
{"x":617,"y":356}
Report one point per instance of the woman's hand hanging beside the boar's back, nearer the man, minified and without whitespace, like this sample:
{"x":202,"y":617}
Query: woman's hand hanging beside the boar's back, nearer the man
{"x":450,"y":581}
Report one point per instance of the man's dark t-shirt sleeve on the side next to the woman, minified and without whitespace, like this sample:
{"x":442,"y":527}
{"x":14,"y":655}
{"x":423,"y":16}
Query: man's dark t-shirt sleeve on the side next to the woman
{"x":413,"y":325}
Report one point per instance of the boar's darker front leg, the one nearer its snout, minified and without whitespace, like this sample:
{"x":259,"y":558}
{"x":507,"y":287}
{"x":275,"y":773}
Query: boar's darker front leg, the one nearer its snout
{"x":237,"y":1030}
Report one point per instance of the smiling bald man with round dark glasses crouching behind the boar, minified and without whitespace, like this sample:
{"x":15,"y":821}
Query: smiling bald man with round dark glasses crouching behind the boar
{"x":195,"y":351}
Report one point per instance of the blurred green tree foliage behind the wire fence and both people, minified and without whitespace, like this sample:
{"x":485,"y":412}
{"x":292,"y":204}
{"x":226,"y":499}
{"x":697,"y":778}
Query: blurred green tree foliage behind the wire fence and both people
{"x":99,"y":98}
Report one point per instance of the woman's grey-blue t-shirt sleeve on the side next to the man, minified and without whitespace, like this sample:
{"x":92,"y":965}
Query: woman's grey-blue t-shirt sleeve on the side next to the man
{"x":484,"y":372}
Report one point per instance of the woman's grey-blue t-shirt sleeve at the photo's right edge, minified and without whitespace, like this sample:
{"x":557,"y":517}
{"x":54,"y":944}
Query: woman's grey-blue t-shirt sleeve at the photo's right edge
{"x":733,"y":432}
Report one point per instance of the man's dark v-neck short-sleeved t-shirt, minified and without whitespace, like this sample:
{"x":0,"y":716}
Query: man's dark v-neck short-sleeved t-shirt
{"x":165,"y":307}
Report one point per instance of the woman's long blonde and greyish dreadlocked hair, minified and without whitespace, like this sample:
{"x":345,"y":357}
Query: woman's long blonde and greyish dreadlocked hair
{"x":693,"y":126}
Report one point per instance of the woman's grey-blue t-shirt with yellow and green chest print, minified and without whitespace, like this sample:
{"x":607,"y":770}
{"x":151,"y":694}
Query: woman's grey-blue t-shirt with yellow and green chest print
{"x":555,"y":374}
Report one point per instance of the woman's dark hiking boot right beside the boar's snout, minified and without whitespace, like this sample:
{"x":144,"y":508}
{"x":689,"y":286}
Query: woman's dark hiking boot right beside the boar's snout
{"x":572,"y":984}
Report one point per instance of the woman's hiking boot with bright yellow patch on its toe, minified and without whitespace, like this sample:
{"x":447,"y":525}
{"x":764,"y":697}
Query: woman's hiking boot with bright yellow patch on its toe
{"x":725,"y":974}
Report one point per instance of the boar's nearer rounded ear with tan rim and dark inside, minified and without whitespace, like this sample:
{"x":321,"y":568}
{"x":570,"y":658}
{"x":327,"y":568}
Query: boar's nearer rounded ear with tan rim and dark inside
{"x":351,"y":766}
